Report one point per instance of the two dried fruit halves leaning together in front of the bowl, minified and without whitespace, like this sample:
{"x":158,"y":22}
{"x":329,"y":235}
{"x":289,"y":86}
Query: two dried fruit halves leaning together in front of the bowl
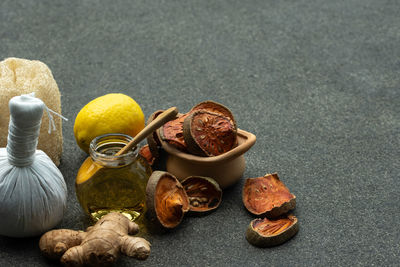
{"x":168,"y":199}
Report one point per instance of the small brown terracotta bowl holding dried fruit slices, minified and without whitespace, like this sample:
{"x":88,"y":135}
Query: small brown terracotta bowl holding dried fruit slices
{"x":226,"y":169}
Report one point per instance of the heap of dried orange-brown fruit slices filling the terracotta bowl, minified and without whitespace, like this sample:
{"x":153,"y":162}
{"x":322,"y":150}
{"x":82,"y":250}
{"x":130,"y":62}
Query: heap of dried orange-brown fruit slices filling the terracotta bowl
{"x":208,"y":129}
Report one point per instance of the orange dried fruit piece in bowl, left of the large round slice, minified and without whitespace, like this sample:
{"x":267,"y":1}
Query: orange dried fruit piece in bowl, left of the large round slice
{"x":172,"y":132}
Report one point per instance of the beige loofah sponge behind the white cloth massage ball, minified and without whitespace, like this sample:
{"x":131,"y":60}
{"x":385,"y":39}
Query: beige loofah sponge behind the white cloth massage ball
{"x":21,"y":76}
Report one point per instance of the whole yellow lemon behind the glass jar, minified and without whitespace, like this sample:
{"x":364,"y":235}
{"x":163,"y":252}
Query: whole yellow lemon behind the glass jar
{"x":112,"y":113}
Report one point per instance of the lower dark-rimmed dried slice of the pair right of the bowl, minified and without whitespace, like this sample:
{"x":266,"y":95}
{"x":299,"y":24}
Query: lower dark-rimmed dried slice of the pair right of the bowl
{"x":268,"y":233}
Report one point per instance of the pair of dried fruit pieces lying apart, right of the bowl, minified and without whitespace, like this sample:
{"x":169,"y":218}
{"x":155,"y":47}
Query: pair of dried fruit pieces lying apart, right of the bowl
{"x":268,"y":196}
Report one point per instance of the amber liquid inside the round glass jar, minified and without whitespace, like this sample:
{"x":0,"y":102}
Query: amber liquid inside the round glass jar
{"x":106,"y":189}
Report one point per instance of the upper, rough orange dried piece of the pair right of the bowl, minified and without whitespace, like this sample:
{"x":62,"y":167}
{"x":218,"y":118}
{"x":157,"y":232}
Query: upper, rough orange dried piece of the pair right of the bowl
{"x":267,"y":196}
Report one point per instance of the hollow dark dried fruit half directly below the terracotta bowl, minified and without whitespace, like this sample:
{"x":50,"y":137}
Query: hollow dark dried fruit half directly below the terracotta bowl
{"x":204,"y":193}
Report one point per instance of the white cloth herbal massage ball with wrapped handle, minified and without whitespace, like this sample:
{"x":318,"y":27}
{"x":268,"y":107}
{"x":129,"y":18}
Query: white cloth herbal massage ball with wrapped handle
{"x":33,"y":192}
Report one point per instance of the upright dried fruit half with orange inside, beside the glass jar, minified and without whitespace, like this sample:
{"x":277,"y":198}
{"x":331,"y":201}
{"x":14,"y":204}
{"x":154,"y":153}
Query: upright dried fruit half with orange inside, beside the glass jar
{"x":166,"y":199}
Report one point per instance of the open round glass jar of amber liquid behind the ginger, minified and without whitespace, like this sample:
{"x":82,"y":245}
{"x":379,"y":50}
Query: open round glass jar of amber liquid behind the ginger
{"x":107,"y":183}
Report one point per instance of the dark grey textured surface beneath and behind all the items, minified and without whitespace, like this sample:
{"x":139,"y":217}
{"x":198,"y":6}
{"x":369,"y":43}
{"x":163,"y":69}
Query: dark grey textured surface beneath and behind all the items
{"x":318,"y":82}
